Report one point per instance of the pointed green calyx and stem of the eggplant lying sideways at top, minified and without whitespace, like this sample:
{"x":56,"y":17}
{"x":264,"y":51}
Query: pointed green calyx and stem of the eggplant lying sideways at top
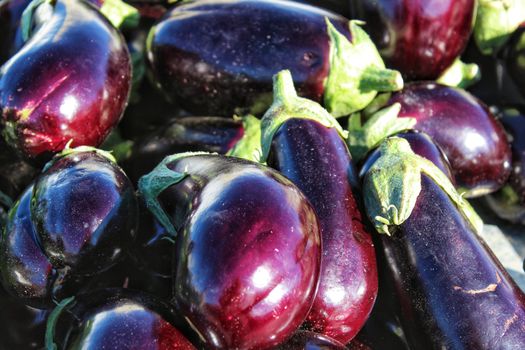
{"x":357,"y":72}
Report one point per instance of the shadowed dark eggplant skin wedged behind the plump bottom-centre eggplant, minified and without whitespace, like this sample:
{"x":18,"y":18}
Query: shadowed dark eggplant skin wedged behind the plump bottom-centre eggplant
{"x":185,"y":134}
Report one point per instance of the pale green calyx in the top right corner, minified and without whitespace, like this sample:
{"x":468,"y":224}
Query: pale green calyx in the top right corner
{"x":496,"y":20}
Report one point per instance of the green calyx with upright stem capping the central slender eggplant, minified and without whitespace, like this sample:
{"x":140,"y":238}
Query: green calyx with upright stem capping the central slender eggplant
{"x":287,"y":105}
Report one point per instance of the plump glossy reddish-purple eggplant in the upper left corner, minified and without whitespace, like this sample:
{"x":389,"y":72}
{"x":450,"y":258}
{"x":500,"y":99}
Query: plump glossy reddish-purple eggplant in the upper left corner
{"x":71,"y":80}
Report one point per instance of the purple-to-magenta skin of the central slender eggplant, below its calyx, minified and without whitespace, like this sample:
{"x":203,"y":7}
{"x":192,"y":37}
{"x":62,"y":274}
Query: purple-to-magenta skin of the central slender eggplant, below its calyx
{"x":317,"y":160}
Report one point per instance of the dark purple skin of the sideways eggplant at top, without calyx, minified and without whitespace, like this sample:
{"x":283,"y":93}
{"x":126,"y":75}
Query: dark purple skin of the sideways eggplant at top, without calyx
{"x":218,"y":58}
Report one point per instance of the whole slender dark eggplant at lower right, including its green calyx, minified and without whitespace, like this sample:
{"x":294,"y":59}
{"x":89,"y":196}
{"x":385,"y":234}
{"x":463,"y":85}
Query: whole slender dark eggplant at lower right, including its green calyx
{"x":452,"y":291}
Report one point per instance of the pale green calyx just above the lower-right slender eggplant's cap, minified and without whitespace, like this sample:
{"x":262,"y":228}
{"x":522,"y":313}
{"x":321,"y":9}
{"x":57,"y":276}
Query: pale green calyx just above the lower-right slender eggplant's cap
{"x":382,"y":124}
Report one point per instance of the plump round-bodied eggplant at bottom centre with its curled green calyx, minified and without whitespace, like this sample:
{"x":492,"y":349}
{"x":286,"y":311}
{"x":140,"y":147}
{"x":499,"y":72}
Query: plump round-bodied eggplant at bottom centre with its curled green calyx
{"x":248,"y":247}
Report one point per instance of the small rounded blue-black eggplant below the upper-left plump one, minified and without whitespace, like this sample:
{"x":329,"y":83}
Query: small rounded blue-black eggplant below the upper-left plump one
{"x":84,"y":210}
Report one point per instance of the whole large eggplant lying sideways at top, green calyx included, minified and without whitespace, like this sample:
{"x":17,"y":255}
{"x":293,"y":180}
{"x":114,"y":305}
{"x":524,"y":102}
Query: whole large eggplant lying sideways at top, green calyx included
{"x":218,"y":57}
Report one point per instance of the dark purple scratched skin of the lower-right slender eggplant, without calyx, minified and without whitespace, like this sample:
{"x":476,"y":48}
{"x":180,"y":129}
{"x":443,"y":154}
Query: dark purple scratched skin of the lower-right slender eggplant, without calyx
{"x":452,"y":291}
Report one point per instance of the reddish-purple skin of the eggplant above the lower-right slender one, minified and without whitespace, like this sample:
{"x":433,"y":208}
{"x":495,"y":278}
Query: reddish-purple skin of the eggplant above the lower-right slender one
{"x":473,"y":140}
